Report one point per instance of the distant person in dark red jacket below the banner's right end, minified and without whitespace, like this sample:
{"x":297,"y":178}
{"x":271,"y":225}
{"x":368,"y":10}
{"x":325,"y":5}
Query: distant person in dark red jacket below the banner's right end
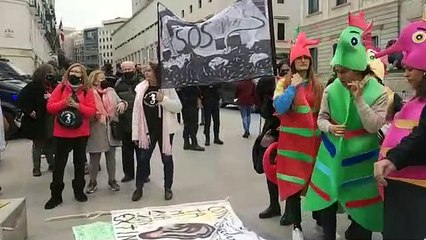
{"x":245,"y":94}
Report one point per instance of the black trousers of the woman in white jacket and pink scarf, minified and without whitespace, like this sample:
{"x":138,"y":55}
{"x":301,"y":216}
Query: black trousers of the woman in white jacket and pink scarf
{"x":143,"y":167}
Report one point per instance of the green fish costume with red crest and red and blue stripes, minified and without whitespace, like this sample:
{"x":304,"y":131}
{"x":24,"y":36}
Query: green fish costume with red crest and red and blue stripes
{"x":343,"y":171}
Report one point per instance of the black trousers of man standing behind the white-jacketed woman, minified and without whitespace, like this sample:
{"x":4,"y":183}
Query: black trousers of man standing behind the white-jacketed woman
{"x":128,"y":151}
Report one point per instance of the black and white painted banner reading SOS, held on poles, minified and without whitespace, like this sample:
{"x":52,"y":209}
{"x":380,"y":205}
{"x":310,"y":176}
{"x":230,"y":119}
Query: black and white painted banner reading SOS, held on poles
{"x":231,"y":46}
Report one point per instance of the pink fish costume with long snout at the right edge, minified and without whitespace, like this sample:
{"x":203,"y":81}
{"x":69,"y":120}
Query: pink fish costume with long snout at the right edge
{"x":412,"y":42}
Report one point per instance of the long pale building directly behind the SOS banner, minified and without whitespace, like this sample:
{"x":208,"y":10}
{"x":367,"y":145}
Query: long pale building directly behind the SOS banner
{"x":136,"y":40}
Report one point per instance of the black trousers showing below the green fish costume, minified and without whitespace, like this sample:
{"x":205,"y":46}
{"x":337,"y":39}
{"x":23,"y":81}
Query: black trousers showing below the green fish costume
{"x":329,"y":223}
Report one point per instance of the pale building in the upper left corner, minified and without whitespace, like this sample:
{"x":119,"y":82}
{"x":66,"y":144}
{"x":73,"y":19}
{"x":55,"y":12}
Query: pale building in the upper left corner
{"x":28,"y":35}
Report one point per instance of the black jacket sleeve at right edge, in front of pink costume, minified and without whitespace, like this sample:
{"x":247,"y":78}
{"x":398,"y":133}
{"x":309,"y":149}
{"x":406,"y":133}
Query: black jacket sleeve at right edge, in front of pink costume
{"x":410,"y":151}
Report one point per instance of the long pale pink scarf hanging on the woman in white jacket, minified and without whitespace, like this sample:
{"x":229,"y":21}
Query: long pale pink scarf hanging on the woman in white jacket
{"x":143,"y":138}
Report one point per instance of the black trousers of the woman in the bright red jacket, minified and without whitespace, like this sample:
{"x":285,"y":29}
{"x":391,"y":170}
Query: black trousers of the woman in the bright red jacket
{"x":63,"y":147}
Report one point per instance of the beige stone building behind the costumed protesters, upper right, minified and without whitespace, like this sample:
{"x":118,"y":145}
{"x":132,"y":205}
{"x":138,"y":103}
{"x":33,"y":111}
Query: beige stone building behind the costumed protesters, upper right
{"x":325,"y":19}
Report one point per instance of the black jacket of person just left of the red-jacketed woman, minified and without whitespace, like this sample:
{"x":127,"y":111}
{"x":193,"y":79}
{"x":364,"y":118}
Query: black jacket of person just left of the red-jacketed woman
{"x":31,"y":98}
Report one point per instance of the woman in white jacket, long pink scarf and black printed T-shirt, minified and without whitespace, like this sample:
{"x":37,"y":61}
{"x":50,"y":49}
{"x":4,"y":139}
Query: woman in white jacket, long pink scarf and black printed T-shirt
{"x":154,"y":121}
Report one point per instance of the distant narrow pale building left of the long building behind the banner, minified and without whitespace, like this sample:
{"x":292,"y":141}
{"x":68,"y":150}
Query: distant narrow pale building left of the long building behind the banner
{"x":105,"y":39}
